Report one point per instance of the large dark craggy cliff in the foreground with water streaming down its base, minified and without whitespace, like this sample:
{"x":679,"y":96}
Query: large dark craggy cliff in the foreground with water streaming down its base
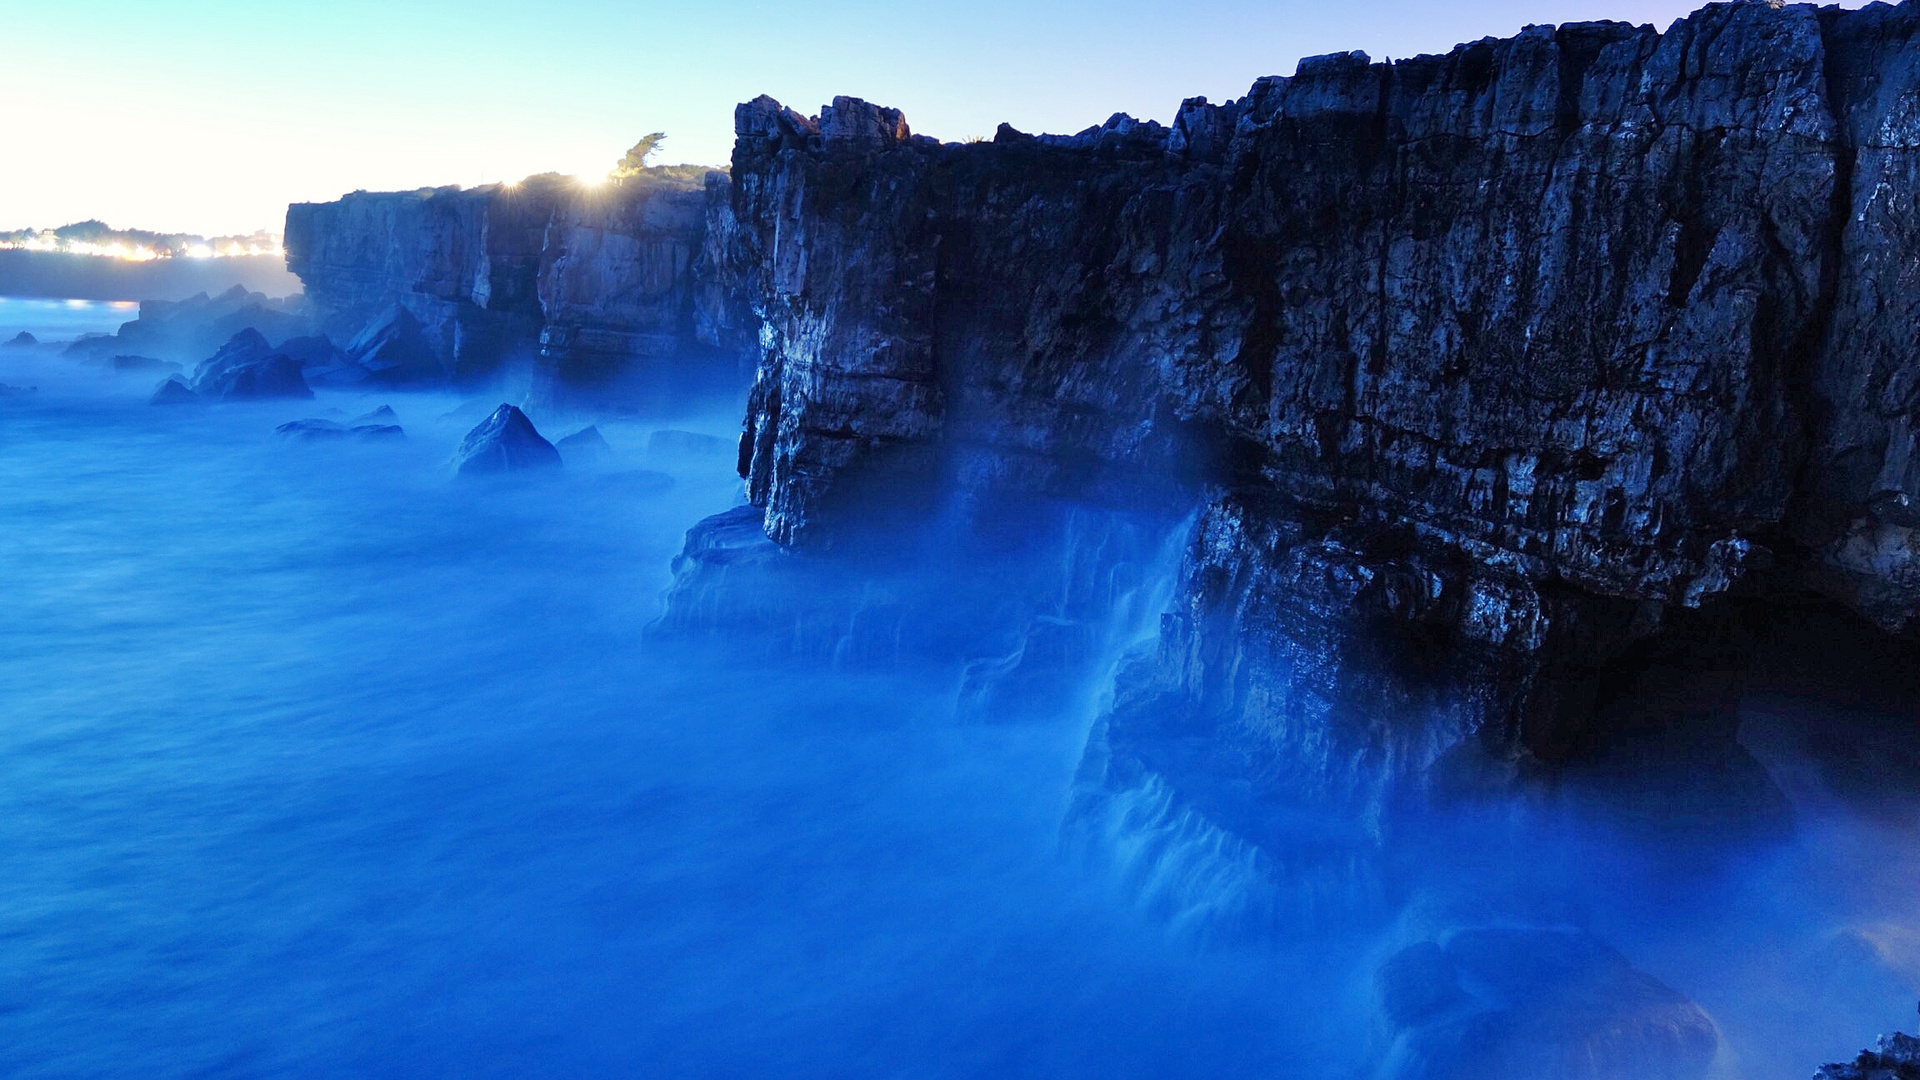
{"x":1520,"y":385}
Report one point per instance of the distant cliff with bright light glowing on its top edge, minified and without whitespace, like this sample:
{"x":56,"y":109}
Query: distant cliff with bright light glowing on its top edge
{"x":598,"y":289}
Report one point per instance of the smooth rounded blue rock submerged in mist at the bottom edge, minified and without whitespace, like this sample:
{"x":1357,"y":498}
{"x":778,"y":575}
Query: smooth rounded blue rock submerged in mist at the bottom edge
{"x":1522,"y":1002}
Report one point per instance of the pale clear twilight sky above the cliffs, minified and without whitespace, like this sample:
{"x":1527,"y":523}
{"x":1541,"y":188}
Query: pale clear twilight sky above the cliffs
{"x":210,"y":116}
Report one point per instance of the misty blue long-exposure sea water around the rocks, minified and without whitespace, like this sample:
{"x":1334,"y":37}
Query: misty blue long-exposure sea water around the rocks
{"x":320,"y":764}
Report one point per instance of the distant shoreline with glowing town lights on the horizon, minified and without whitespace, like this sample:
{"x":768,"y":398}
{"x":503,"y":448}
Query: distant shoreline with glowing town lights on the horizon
{"x":55,"y":276}
